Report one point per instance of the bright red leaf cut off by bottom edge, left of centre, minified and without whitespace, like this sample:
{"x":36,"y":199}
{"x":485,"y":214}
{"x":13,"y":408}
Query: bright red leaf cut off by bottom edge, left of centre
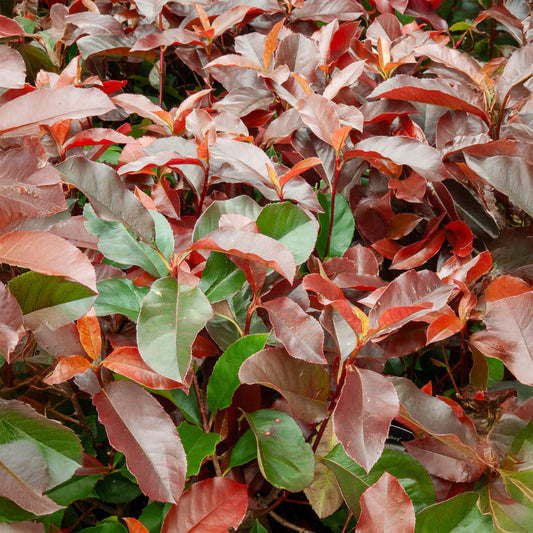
{"x":209,"y":506}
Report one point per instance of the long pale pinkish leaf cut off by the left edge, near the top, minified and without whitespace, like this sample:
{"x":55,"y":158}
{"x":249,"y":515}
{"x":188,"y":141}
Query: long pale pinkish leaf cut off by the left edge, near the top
{"x":25,"y":114}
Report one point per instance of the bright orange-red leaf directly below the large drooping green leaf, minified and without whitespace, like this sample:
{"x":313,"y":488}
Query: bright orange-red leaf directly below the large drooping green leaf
{"x":127,"y":362}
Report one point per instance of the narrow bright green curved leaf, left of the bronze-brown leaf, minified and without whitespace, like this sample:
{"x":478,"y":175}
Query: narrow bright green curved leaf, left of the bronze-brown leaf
{"x":225,"y":377}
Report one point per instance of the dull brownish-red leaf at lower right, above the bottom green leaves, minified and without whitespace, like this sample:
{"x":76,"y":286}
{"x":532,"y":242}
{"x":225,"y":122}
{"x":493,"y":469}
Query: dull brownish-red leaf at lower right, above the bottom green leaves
{"x":445,"y":462}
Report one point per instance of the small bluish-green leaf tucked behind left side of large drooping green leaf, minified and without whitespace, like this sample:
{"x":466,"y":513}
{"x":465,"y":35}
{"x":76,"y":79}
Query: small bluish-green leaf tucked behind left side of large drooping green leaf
{"x":119,"y":295}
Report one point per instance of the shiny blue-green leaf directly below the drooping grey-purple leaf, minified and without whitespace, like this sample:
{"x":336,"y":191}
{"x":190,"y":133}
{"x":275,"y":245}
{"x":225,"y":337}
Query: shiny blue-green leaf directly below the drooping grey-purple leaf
{"x":119,"y":244}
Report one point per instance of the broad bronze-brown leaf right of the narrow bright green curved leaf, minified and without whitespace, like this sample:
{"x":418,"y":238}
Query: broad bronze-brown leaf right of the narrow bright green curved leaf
{"x":304,"y":385}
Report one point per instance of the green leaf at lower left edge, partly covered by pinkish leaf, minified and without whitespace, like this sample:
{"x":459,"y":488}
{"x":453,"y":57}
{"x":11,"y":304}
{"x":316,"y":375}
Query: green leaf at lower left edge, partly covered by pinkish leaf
{"x":59,"y":445}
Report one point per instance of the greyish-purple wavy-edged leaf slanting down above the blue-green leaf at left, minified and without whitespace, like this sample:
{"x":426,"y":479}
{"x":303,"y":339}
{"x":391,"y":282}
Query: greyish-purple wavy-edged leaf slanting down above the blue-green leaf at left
{"x":109,"y":197}
